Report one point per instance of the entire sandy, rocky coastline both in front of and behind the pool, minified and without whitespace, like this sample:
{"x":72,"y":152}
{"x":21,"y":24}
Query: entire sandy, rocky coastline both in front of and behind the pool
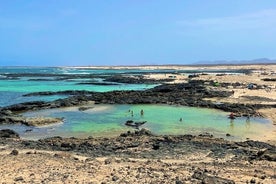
{"x":140,"y":156}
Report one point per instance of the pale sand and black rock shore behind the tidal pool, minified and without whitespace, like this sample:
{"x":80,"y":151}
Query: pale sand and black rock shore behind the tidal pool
{"x":230,"y":93}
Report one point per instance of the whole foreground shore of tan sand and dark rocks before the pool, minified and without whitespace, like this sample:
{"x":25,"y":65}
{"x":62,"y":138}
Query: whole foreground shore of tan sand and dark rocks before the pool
{"x":135,"y":157}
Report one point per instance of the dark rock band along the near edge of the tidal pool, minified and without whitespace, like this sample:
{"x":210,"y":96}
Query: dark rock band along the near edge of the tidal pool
{"x":143,"y":144}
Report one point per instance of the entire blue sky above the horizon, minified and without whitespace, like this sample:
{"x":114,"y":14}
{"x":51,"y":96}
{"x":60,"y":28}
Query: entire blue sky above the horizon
{"x":135,"y":32}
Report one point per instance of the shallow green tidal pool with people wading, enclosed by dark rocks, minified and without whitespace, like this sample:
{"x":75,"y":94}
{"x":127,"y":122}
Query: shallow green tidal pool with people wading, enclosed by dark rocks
{"x":109,"y":120}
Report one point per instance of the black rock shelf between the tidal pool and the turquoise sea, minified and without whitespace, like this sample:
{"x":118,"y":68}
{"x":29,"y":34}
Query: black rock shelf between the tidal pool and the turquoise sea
{"x":193,"y":93}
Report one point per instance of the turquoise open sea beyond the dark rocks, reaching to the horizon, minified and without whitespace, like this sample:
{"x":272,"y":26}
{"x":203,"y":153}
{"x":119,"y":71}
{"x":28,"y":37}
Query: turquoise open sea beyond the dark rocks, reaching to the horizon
{"x":11,"y":91}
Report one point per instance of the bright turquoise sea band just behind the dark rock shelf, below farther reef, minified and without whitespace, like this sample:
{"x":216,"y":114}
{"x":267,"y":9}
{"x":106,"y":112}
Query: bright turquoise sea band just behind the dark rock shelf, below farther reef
{"x":11,"y":91}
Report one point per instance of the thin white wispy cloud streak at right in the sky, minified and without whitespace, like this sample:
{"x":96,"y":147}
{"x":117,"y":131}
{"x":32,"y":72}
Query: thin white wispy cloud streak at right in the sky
{"x":265,"y":19}
